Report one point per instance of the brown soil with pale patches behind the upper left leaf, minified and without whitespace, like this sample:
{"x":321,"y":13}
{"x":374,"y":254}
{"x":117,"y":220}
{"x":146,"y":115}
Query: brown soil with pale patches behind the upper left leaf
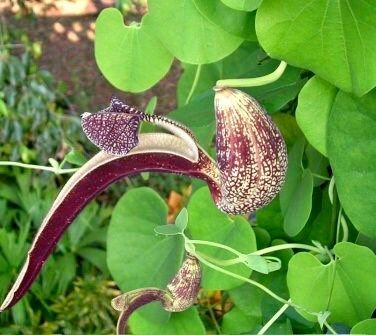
{"x":66,"y":30}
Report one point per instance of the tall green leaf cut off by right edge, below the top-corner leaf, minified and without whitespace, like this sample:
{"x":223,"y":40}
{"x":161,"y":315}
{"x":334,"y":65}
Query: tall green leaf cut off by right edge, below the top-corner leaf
{"x":352,"y":154}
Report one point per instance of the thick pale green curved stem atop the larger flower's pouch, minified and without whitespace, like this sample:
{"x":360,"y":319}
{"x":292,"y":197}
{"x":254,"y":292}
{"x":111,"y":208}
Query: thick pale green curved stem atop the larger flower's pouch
{"x":258,"y":81}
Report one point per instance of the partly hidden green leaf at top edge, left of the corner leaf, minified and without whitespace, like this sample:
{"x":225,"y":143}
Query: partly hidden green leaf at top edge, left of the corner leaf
{"x":235,"y":22}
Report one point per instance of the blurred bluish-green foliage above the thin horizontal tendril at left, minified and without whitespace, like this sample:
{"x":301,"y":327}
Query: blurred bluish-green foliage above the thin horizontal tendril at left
{"x":31,"y":103}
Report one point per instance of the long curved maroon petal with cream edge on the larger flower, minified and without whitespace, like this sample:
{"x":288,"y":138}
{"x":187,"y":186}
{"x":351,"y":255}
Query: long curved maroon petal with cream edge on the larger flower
{"x":98,"y":173}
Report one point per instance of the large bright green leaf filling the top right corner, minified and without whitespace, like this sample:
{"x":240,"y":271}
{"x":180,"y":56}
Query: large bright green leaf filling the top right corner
{"x":333,"y":38}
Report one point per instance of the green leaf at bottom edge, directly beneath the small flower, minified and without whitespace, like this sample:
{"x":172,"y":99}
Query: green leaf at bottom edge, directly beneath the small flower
{"x":183,"y":323}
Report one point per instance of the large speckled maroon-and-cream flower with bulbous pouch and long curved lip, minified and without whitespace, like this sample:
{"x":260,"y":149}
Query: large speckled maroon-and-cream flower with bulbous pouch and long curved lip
{"x":249,"y":172}
